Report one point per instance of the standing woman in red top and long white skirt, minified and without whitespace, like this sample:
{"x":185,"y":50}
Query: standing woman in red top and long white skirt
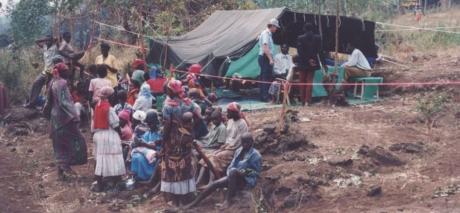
{"x":107,"y":143}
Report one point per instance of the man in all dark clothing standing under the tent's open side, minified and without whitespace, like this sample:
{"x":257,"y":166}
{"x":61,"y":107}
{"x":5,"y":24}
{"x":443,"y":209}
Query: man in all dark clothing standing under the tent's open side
{"x":309,"y":50}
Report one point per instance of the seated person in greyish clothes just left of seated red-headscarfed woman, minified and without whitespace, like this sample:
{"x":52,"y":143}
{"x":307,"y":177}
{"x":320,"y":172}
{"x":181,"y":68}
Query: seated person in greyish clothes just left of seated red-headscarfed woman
{"x":217,"y":133}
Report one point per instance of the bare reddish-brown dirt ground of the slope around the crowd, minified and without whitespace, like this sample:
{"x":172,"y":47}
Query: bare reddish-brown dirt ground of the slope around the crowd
{"x":368,"y":158}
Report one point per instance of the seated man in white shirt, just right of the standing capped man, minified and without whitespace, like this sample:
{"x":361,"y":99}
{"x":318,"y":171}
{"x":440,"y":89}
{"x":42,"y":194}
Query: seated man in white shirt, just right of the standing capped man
{"x":283,"y":63}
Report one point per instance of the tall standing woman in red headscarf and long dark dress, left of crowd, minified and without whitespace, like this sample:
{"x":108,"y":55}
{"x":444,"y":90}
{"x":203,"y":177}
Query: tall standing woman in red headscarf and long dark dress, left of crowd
{"x":68,"y":143}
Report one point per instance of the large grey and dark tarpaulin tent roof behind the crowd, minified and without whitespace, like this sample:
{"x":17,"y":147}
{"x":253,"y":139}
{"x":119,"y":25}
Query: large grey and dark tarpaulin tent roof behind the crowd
{"x":233,"y":33}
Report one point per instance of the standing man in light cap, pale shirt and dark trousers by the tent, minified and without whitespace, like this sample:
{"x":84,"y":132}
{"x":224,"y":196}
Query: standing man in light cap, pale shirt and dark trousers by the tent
{"x":266,"y":61}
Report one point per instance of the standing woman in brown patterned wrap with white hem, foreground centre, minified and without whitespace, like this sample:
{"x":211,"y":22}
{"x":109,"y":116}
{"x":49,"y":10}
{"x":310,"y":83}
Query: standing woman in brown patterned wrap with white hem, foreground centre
{"x":178,"y":162}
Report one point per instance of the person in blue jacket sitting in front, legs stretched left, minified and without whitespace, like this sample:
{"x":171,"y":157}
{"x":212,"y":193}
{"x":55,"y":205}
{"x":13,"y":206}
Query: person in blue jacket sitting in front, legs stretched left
{"x":242,"y":172}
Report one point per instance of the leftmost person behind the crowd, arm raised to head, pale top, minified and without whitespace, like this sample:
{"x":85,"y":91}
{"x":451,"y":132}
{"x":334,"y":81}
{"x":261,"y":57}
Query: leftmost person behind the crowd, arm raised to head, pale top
{"x":48,"y":45}
